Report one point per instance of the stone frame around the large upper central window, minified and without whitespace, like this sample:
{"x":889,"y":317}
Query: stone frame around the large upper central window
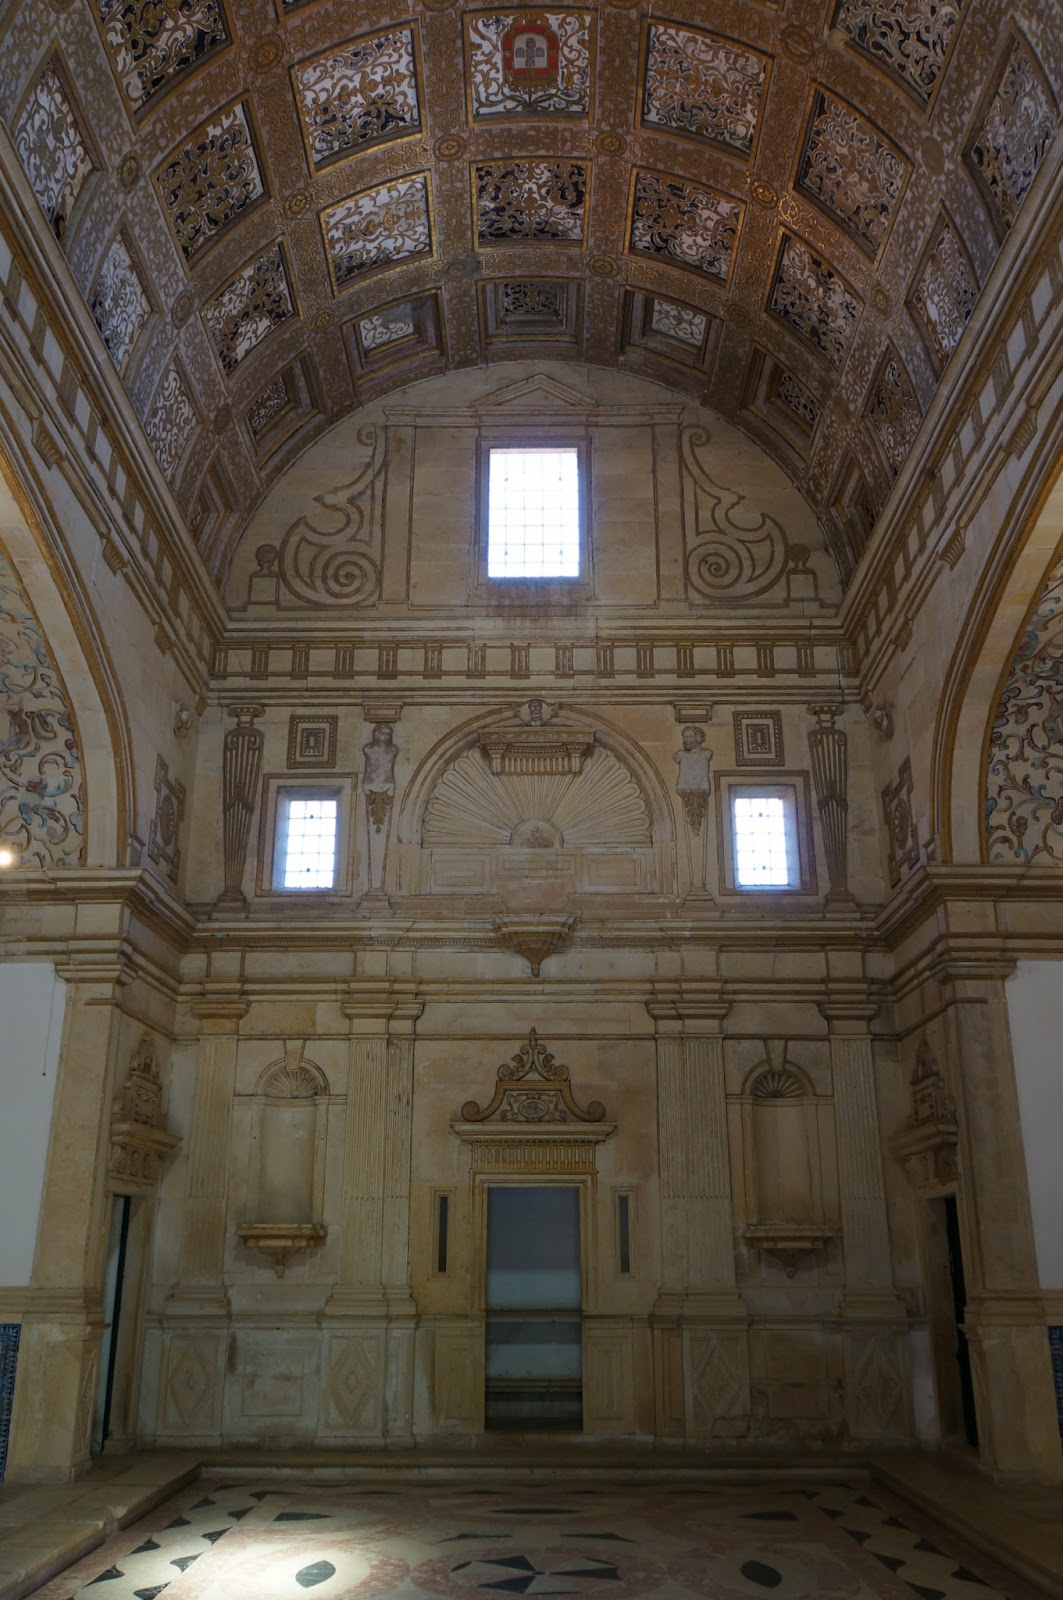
{"x":534,"y":591}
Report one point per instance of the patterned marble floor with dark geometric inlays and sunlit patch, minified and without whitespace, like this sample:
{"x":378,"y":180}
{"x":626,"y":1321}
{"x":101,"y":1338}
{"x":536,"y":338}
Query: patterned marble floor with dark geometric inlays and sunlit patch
{"x":617,"y":1540}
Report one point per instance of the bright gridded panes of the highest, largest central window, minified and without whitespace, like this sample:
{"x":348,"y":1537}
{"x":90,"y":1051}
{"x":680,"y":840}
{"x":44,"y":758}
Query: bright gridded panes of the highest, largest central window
{"x":534,"y":513}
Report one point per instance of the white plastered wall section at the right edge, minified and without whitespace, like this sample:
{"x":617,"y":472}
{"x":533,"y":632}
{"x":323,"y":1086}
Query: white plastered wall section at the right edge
{"x":1035,"y":1004}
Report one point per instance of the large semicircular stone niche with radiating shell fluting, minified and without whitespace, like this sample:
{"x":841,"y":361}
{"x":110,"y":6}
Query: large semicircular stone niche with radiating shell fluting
{"x":495,"y":810}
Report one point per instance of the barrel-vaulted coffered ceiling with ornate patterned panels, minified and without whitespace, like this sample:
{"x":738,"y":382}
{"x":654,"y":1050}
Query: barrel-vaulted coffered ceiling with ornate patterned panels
{"x":281,"y":210}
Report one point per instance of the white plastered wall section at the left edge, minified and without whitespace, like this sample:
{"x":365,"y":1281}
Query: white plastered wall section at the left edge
{"x":31,"y":1030}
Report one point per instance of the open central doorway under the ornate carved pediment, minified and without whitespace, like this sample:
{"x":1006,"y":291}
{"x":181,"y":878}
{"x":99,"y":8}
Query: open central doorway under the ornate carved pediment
{"x":534,"y":1359}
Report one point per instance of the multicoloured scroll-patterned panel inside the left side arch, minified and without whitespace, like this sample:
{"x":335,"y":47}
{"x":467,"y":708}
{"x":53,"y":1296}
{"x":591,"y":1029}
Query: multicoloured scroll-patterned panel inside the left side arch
{"x":42,"y":812}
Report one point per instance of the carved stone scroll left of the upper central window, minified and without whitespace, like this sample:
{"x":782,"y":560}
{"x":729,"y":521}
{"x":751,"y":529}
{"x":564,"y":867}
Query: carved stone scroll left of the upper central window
{"x":329,"y":559}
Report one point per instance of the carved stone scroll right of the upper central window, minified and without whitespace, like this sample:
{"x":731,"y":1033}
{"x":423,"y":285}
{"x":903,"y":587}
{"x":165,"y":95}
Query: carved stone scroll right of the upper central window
{"x":736,"y":553}
